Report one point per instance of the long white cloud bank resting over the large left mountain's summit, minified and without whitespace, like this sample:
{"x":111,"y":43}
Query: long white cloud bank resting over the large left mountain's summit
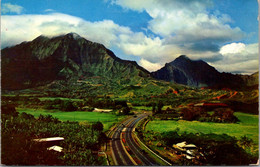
{"x":19,"y":28}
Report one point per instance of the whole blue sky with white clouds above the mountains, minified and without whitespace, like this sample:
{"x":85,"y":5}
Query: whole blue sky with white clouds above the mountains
{"x":224,"y":33}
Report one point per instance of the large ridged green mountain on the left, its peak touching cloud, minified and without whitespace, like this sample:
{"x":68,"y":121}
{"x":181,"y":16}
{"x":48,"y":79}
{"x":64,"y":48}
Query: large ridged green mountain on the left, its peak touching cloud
{"x":65,"y":57}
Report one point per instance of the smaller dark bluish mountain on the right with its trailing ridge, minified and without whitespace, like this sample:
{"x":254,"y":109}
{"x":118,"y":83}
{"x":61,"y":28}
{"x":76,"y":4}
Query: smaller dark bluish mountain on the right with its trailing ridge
{"x":198,"y":73}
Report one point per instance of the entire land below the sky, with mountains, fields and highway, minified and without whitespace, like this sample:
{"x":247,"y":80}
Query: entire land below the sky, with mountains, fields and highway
{"x":114,"y":112}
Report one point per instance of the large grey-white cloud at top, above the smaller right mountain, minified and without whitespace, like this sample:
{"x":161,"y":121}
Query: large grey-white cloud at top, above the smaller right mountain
{"x":186,"y":21}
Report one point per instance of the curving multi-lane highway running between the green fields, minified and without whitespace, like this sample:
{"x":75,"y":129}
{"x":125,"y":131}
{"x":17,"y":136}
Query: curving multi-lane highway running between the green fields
{"x":123,"y":136}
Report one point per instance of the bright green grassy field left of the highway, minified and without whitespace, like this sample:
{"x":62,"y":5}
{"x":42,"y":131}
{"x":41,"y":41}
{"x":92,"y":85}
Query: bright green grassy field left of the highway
{"x":106,"y":118}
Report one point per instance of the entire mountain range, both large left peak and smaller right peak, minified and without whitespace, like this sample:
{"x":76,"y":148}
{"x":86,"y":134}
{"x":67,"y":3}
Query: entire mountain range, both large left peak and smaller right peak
{"x":70,"y":62}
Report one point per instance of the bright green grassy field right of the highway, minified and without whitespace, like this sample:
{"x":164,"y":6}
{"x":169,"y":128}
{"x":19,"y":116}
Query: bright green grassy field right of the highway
{"x":248,"y":126}
